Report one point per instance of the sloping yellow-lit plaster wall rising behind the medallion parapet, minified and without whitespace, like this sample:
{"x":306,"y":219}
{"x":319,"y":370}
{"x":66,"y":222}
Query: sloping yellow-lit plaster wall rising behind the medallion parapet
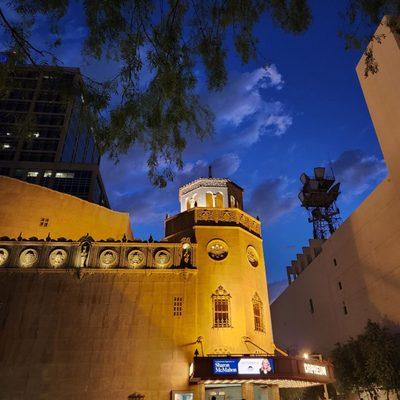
{"x":22,"y":205}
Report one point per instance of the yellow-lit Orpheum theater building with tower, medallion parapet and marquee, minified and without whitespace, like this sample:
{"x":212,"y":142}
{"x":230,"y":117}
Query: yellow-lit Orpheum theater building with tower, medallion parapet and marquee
{"x":88,"y":312}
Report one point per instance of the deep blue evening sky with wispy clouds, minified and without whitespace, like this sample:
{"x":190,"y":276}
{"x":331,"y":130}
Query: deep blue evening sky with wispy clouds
{"x":306,"y":109}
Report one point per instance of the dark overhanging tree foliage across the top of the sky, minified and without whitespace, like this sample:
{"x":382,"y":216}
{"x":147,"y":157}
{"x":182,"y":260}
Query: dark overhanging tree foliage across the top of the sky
{"x":158,"y":44}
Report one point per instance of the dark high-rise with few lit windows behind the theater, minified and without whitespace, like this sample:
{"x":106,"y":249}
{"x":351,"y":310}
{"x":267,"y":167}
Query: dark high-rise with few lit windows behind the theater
{"x":43,"y":136}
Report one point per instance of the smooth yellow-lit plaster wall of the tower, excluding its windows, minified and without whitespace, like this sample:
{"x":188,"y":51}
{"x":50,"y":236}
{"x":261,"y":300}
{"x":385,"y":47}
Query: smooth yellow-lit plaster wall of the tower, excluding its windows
{"x":241,"y":281}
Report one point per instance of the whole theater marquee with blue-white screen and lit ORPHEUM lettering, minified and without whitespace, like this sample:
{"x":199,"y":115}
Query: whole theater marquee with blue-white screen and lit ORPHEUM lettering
{"x":276,"y":368}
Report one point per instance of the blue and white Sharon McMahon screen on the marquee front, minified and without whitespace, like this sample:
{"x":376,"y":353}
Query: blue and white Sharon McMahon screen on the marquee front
{"x":243,"y":366}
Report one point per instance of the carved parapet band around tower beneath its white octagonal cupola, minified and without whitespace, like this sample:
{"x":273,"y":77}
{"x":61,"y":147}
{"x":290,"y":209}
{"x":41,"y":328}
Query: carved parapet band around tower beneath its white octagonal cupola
{"x":212,"y":216}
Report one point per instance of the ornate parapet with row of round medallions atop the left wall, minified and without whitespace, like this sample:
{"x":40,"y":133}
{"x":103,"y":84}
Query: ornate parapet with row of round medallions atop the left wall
{"x":87,"y":253}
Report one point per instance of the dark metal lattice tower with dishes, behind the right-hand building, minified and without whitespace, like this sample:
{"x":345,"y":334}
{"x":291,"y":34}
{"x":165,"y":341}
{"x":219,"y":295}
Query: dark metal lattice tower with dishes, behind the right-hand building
{"x":318,"y":196}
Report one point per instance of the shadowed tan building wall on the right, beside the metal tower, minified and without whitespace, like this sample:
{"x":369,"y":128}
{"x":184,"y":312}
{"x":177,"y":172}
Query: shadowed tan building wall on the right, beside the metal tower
{"x":366,"y":246}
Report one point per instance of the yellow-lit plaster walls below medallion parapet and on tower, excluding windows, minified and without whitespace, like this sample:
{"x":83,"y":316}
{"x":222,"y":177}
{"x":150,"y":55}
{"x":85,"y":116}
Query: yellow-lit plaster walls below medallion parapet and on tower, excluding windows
{"x":113,"y":333}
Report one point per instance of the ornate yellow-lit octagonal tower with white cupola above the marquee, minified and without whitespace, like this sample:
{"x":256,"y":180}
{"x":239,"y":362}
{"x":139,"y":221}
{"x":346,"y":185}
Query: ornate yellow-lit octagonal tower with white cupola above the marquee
{"x":232,"y":315}
